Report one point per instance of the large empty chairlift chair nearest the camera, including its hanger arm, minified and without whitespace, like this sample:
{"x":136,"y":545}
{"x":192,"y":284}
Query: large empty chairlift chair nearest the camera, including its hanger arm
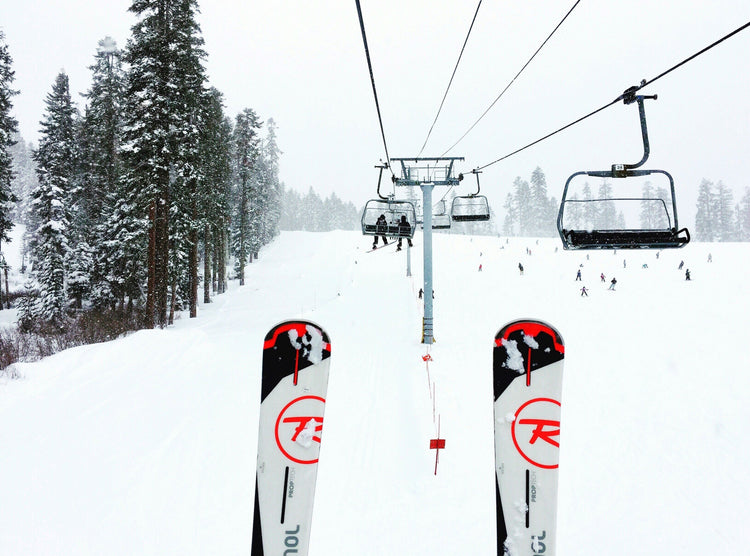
{"x":662,"y":230}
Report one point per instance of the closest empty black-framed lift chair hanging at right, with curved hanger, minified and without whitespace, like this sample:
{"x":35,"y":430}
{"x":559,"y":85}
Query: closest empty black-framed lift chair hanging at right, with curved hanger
{"x":668,"y":235}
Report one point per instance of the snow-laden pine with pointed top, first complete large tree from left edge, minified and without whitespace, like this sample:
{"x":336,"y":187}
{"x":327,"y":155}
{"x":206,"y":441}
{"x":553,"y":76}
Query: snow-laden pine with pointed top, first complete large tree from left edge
{"x":55,"y":160}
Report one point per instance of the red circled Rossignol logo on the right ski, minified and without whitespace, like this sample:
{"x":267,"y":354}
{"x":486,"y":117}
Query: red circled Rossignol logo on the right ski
{"x":536,"y":432}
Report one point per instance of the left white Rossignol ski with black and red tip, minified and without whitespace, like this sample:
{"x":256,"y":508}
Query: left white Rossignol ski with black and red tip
{"x":296,"y":357}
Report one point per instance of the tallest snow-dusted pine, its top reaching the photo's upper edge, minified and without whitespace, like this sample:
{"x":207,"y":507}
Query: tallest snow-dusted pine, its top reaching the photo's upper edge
{"x":161,"y":114}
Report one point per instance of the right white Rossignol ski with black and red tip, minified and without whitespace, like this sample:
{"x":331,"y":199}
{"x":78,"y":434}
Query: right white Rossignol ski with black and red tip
{"x":527,"y":374}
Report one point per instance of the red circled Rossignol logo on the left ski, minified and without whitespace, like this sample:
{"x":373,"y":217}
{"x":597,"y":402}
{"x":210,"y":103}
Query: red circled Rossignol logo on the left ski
{"x":298,"y":429}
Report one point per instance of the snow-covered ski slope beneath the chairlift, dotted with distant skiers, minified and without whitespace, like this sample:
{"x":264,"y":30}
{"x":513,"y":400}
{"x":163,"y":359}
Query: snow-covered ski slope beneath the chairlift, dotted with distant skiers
{"x":147,"y":445}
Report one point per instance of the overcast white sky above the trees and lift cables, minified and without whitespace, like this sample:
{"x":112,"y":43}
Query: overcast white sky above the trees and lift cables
{"x":303,"y":64}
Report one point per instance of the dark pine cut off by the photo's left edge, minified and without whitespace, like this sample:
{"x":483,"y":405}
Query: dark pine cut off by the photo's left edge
{"x":8,"y":129}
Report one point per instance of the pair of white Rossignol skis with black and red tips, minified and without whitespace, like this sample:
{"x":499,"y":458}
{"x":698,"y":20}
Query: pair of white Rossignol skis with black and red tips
{"x":527,"y":382}
